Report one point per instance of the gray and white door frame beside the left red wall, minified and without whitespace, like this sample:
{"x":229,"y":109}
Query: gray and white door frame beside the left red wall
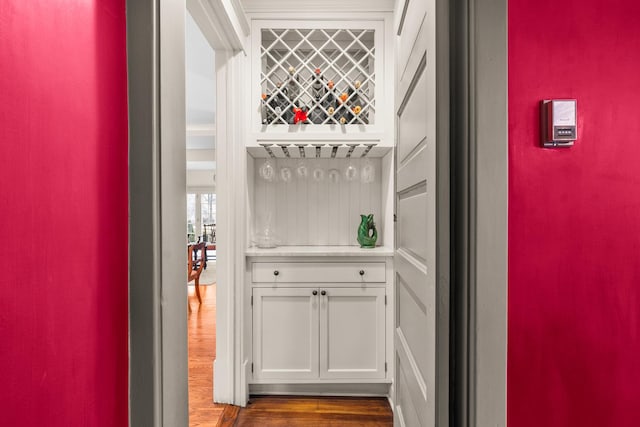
{"x":158,"y":387}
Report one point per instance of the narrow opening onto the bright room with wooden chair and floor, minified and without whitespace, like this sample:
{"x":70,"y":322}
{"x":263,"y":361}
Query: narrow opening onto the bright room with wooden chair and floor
{"x":201,"y":210}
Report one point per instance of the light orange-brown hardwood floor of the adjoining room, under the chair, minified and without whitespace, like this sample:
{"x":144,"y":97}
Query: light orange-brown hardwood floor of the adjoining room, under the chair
{"x":202,"y":350}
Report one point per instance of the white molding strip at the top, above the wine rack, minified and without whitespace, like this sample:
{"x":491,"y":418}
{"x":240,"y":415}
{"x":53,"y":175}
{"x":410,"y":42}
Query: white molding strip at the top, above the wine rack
{"x":340,"y":6}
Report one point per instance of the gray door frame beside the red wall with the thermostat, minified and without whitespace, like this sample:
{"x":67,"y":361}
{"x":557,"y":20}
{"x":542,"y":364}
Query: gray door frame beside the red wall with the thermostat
{"x":479,"y":162}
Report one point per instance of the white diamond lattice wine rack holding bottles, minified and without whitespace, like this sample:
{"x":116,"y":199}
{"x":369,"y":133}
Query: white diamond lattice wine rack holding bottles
{"x":317,"y":76}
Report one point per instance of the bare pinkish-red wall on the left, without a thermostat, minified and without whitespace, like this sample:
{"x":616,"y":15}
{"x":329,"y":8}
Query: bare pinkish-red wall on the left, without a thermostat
{"x":63,"y":213}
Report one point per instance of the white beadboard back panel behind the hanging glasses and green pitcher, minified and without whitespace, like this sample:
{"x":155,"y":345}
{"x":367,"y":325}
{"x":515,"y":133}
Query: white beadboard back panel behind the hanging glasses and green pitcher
{"x":308,"y":212}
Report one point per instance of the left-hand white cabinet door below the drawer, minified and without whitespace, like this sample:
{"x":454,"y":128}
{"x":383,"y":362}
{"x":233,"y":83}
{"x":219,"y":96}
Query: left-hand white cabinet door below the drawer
{"x":285,"y":333}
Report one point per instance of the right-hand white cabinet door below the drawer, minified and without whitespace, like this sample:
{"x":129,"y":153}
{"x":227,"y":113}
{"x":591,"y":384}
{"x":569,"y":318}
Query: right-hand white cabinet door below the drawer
{"x":352,"y":333}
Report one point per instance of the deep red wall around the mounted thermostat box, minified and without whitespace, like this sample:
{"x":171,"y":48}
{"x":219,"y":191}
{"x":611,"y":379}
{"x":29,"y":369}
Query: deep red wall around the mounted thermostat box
{"x":574,"y":217}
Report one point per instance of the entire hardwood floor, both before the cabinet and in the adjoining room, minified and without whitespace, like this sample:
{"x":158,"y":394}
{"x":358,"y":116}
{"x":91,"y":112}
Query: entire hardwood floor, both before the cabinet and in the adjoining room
{"x":262,"y":411}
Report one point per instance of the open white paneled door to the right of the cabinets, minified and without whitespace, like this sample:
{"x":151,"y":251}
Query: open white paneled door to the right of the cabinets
{"x":415,"y":327}
